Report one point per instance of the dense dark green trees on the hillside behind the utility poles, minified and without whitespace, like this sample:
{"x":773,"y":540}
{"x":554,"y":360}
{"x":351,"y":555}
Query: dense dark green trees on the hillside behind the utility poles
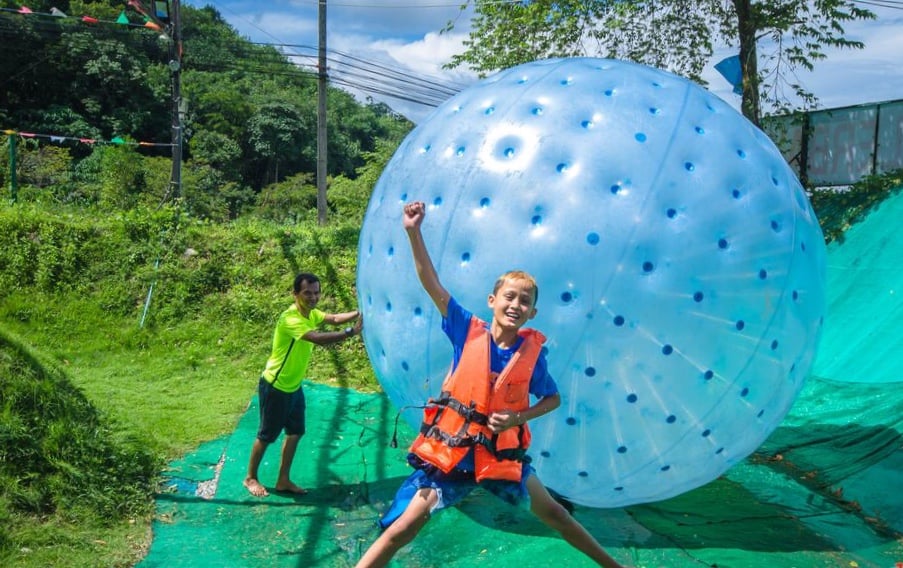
{"x":249,"y":113}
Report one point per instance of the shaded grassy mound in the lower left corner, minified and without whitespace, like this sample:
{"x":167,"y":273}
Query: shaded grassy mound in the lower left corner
{"x":73,"y":487}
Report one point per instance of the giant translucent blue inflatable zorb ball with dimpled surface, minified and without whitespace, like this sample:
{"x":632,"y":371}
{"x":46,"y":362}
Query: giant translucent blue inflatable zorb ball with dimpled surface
{"x":680,"y":268}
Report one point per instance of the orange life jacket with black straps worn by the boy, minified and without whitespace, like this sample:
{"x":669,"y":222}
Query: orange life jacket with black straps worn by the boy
{"x":457,"y":420}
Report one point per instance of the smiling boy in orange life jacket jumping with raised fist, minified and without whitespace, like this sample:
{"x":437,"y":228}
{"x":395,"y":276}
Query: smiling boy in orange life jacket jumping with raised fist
{"x":496,"y":366}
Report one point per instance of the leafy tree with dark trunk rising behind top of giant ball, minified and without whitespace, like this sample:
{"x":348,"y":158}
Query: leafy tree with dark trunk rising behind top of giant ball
{"x":676,"y":35}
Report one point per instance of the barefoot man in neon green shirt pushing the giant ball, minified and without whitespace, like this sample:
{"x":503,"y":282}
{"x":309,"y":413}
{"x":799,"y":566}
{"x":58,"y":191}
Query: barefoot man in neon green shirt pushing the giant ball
{"x":279,"y":391}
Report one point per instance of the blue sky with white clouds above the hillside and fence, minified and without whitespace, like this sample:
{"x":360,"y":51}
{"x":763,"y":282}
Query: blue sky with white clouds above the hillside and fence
{"x":394,"y":50}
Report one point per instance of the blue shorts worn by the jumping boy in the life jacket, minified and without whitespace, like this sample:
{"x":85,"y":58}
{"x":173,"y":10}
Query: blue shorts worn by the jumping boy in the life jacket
{"x":452,"y":487}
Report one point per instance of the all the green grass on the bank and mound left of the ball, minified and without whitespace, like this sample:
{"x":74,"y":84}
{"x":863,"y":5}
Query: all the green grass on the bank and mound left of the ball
{"x":146,"y":394}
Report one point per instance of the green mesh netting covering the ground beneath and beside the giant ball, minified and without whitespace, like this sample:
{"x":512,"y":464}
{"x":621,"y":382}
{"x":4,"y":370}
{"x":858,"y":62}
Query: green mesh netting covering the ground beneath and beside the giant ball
{"x":825,"y":490}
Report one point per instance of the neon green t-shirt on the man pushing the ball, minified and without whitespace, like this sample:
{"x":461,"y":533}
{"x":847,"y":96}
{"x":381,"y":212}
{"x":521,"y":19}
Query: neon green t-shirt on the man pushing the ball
{"x":288,"y":361}
